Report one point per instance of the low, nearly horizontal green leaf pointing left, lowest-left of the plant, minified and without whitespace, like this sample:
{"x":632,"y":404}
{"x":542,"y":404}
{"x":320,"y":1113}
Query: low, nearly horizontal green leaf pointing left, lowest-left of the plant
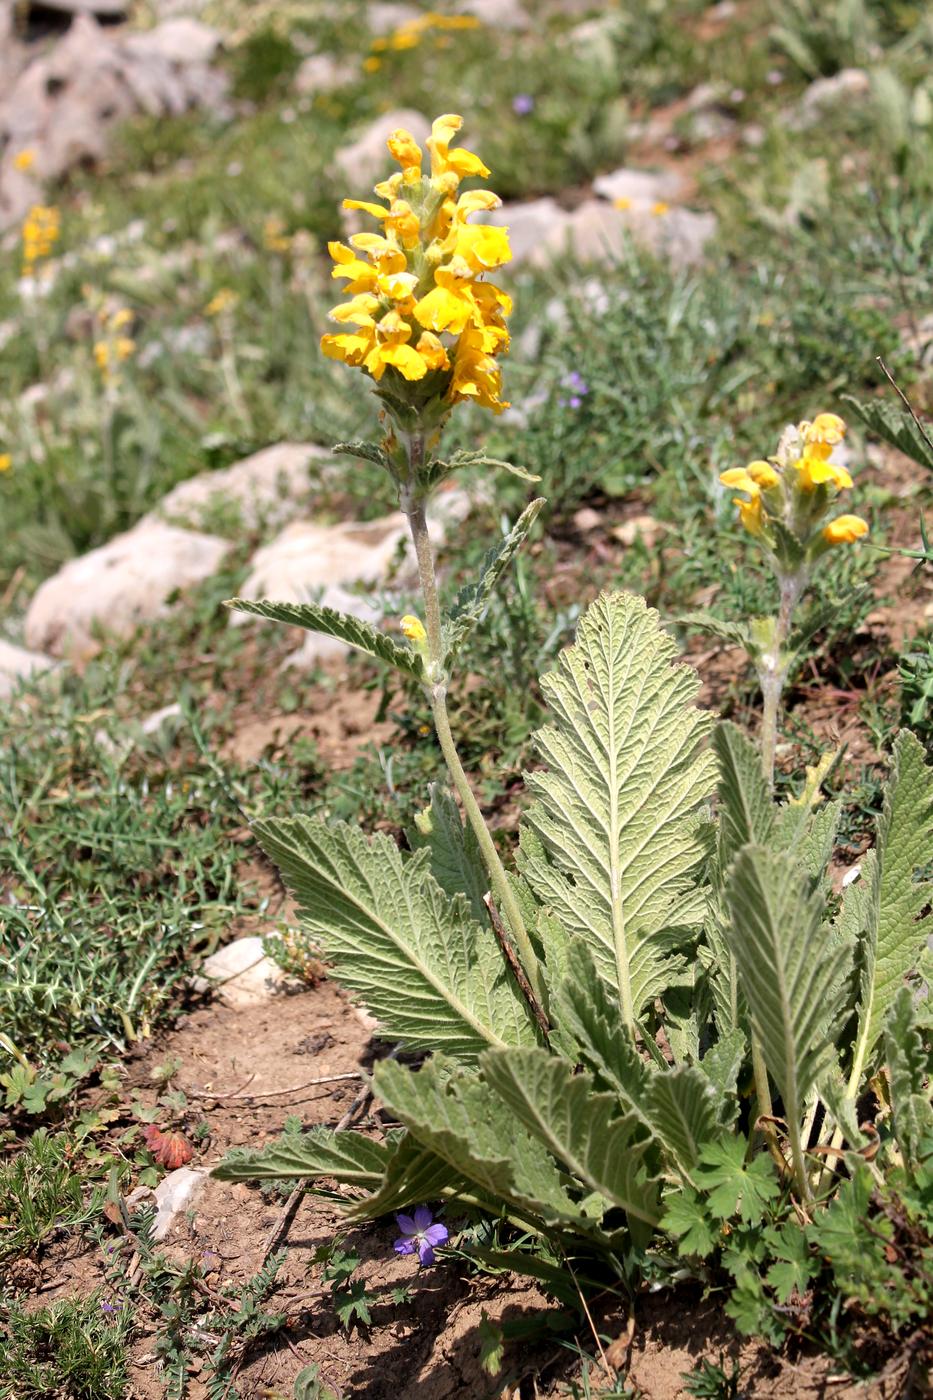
{"x":350,"y":1157}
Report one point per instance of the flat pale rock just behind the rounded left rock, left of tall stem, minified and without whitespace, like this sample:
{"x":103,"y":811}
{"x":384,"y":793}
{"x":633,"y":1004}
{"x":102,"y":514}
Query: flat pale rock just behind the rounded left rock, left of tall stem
{"x":265,"y":488}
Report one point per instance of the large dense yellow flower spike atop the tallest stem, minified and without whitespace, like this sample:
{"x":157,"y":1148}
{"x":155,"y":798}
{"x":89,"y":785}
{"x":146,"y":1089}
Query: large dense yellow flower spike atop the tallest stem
{"x":424,"y":321}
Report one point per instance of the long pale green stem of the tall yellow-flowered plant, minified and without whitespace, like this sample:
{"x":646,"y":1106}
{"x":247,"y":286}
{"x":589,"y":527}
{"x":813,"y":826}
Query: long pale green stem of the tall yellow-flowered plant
{"x":413,"y":505}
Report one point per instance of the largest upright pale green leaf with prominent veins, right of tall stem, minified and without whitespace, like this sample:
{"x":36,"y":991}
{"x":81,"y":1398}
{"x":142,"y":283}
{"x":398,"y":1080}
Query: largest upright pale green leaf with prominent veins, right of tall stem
{"x":617,"y":807}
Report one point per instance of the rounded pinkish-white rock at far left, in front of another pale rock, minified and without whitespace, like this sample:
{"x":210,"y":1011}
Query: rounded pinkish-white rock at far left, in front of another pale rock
{"x":118,"y":586}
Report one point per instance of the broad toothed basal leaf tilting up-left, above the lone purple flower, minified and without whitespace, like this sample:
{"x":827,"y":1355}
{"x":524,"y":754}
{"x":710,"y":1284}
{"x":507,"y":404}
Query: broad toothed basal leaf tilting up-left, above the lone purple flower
{"x":452,"y":1112}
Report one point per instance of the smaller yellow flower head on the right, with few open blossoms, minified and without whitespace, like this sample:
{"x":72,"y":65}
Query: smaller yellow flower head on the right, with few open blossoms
{"x":788,"y":499}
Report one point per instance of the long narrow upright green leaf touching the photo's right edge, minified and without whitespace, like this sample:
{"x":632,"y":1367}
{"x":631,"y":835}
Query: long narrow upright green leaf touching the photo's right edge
{"x":897,"y":929}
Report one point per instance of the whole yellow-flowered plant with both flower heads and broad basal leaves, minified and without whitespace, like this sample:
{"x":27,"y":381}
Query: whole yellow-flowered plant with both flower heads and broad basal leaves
{"x":592,"y":1018}
